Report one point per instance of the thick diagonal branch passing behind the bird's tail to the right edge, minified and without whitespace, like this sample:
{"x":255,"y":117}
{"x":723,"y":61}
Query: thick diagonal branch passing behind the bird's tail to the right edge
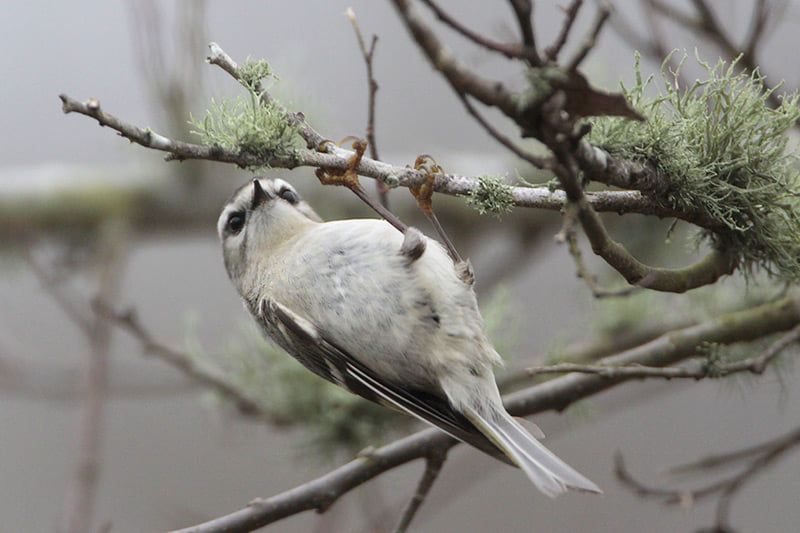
{"x":556,"y":394}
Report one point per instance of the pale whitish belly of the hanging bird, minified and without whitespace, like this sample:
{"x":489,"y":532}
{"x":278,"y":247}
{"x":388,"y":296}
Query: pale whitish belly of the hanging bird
{"x":404,"y":319}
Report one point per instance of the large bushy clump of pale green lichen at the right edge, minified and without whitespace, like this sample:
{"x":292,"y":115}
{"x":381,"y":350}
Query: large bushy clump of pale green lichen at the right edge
{"x":721,"y":151}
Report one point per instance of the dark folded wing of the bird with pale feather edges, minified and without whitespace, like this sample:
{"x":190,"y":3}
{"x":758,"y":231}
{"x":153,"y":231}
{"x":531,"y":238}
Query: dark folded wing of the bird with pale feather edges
{"x":318,"y":352}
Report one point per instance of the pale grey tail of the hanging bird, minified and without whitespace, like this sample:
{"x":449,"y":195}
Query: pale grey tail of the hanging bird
{"x":550,"y":474}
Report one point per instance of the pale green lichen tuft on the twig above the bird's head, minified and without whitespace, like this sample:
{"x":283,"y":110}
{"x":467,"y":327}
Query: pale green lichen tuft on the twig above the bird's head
{"x":247,"y":124}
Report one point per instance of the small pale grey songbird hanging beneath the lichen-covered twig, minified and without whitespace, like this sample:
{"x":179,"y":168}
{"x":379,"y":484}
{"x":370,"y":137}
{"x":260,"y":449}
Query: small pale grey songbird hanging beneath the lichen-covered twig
{"x":386,"y":315}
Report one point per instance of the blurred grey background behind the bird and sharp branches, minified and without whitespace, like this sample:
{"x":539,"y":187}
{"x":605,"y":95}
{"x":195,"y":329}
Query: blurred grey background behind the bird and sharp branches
{"x":84,"y":213}
